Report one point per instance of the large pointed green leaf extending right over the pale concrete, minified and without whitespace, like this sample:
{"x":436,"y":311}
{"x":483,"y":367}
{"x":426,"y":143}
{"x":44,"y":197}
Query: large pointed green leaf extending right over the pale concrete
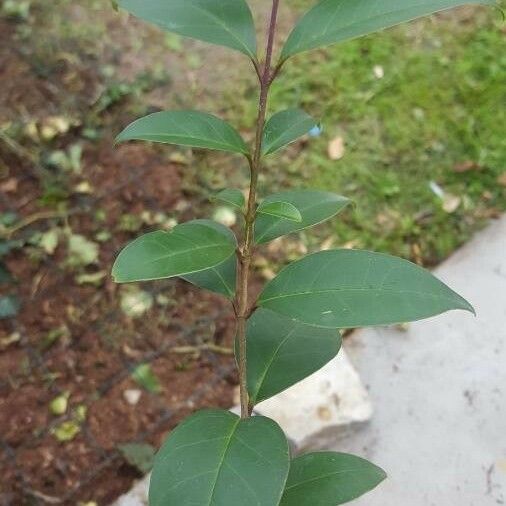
{"x":349,"y":288}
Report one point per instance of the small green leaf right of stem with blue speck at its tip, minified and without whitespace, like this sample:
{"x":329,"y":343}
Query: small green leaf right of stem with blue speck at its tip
{"x":285,"y":127}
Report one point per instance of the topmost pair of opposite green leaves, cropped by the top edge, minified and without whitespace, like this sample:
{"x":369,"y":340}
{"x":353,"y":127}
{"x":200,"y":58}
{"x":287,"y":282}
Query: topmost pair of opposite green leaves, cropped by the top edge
{"x":230,"y":23}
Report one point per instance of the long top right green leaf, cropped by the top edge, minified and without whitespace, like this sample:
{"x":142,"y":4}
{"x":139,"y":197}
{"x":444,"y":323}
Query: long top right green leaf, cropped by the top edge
{"x":332,"y":21}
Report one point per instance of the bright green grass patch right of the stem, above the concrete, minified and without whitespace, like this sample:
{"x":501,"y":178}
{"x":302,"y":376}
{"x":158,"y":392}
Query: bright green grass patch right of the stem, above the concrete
{"x":438,"y":108}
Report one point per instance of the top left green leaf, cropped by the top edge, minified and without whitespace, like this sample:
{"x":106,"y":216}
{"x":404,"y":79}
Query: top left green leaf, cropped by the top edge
{"x":225,"y":23}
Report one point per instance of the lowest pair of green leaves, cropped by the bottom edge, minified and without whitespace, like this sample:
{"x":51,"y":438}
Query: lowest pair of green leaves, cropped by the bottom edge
{"x":214,"y":457}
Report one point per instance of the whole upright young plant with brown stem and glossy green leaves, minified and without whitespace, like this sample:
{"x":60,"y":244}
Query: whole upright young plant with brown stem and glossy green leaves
{"x":215,"y":457}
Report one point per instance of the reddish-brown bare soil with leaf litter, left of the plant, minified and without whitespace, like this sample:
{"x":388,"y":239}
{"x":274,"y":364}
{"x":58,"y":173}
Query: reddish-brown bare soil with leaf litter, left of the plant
{"x":93,"y":357}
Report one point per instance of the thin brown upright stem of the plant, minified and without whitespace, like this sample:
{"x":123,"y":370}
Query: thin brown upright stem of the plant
{"x":245,"y":250}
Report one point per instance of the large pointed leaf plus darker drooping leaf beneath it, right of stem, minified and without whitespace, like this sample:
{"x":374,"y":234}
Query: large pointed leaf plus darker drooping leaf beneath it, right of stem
{"x":293,"y":332}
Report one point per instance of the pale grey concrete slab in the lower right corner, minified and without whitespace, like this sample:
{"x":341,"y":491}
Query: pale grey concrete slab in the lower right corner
{"x":439,"y":391}
